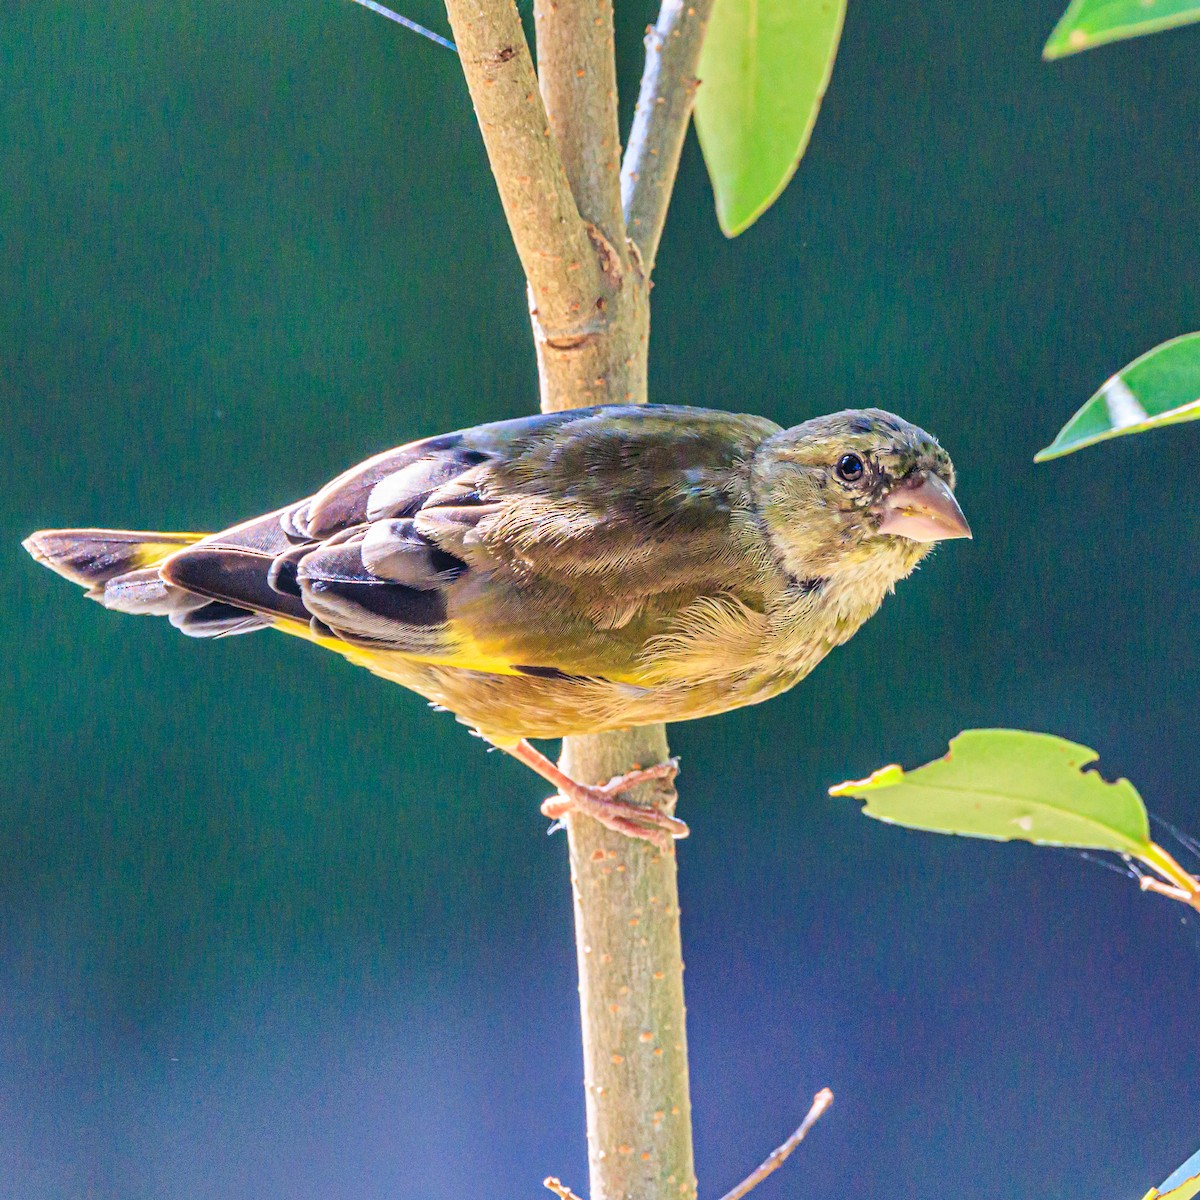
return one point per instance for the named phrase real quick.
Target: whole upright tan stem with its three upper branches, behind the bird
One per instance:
(587, 230)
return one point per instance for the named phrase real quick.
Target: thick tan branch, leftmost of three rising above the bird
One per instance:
(561, 261)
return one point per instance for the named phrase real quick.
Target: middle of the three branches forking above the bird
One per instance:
(578, 73)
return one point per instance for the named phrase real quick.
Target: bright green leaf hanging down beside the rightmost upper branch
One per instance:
(765, 67)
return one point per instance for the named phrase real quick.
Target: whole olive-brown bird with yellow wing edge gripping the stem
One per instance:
(567, 573)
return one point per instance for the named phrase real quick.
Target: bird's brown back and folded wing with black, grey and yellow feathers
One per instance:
(554, 543)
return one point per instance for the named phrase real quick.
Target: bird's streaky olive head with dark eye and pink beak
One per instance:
(860, 493)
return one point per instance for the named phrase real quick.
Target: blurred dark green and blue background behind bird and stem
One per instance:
(269, 928)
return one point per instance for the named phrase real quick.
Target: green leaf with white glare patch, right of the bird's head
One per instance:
(1161, 388)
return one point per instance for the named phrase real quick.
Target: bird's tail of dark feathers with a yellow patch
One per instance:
(121, 568)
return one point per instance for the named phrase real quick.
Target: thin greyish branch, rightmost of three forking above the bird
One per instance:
(661, 121)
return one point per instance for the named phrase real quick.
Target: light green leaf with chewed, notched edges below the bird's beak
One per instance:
(1006, 785)
